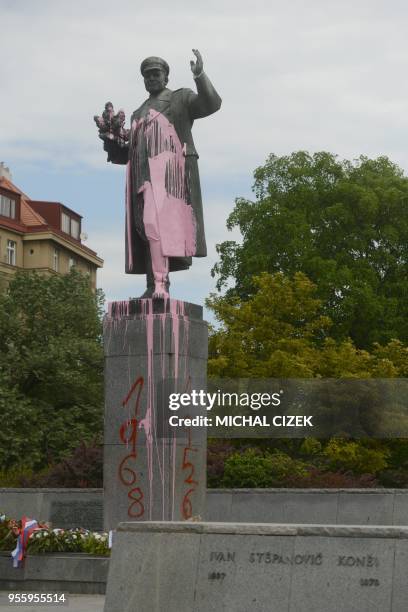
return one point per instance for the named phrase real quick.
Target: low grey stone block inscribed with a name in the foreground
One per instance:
(227, 567)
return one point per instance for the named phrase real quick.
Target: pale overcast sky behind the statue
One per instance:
(315, 75)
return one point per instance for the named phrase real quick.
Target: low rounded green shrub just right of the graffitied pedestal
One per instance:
(255, 469)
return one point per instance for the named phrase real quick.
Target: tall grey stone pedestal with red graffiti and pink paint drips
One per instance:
(152, 471)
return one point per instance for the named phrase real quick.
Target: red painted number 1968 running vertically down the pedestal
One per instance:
(128, 435)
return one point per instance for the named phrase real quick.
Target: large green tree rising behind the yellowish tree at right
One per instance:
(343, 224)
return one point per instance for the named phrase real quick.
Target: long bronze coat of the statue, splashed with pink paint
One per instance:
(162, 126)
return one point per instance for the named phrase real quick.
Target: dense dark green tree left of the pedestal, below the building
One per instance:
(51, 368)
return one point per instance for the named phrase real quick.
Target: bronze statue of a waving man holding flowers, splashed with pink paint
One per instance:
(164, 213)
